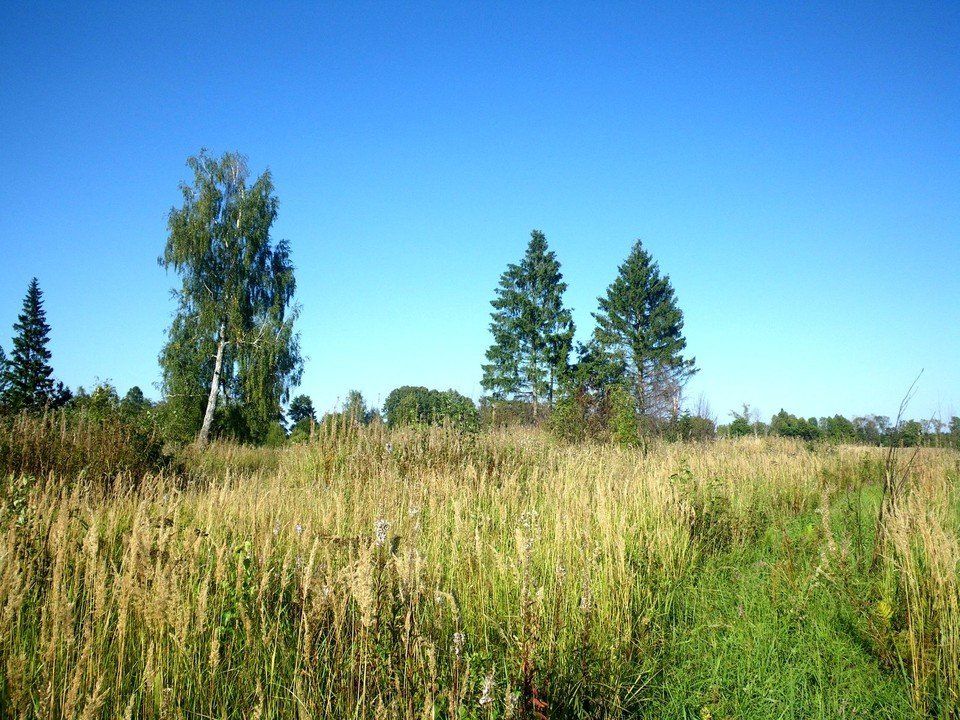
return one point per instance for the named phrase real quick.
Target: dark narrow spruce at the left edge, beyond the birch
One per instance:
(29, 377)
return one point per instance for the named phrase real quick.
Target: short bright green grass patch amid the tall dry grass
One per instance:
(760, 634)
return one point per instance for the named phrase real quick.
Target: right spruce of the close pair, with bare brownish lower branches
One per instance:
(640, 326)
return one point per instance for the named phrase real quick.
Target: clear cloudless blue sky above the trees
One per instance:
(794, 168)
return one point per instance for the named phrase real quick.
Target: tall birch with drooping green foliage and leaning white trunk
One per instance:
(232, 336)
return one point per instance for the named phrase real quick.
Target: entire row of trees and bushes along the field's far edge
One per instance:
(232, 354)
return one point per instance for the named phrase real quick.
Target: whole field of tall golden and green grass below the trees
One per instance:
(427, 574)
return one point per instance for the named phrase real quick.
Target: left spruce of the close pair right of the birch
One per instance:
(532, 331)
